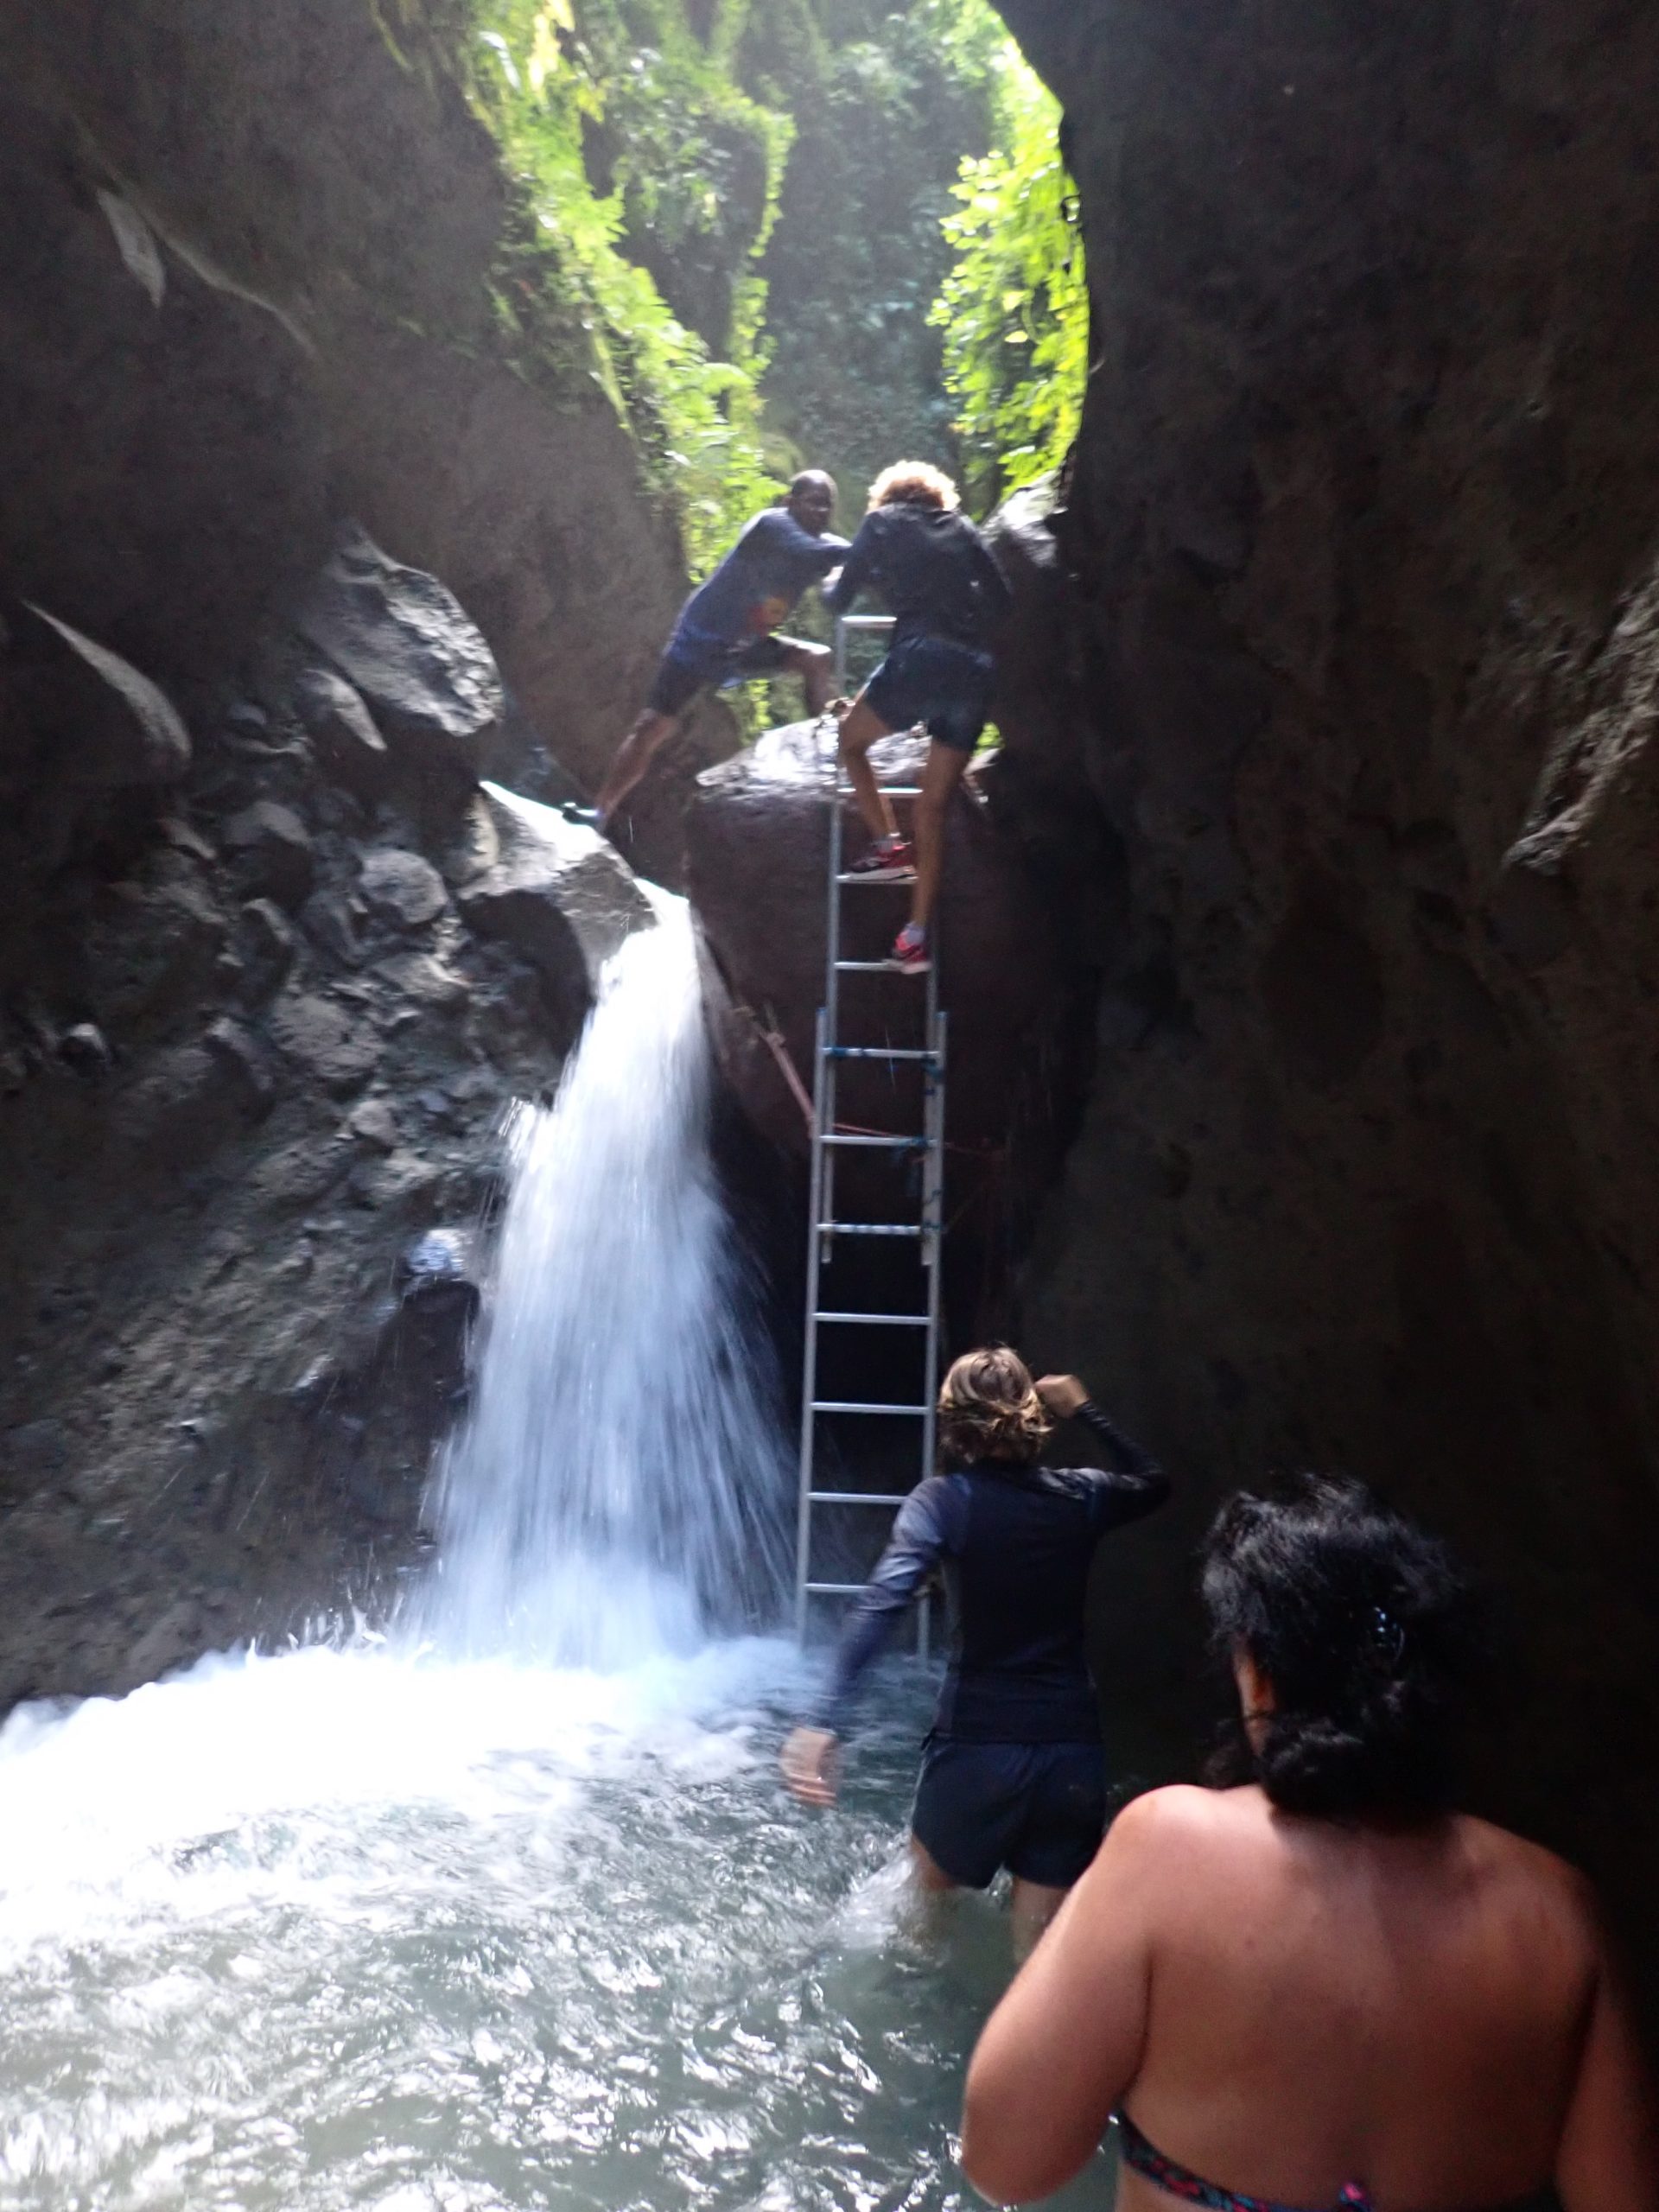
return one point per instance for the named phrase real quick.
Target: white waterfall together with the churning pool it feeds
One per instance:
(508, 1912)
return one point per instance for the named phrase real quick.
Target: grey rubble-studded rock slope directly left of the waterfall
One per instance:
(253, 1063)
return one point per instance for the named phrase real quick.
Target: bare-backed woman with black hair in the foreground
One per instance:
(1326, 1985)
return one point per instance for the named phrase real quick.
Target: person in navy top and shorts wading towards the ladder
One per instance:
(1014, 1771)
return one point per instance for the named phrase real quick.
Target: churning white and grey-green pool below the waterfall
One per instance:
(357, 1930)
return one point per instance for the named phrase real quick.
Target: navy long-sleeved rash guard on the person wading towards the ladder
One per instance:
(1014, 1547)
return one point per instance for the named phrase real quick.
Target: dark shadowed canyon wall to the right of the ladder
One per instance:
(1359, 581)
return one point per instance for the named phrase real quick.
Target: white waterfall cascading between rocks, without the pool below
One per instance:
(620, 1483)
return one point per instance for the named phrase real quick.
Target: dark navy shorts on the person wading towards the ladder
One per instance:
(1032, 1808)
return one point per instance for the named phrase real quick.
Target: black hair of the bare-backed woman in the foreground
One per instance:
(1366, 1629)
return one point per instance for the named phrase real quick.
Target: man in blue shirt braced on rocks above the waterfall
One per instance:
(729, 629)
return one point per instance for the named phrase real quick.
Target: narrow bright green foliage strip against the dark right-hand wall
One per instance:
(1014, 306)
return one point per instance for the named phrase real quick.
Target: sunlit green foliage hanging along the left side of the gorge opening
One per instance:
(620, 129)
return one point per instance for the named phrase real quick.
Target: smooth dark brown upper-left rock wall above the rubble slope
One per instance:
(251, 293)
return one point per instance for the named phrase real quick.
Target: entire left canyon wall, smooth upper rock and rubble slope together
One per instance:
(269, 963)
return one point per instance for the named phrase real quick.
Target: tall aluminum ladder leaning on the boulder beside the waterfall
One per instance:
(824, 1227)
